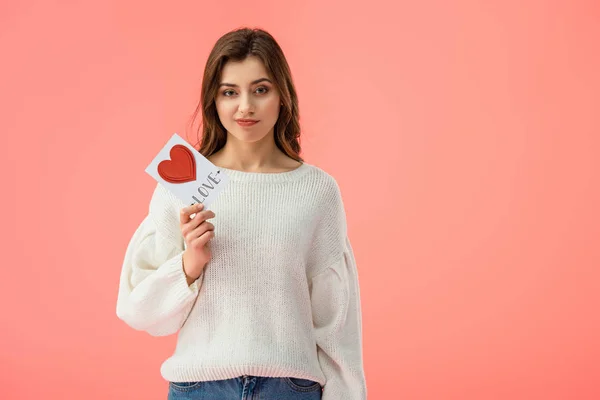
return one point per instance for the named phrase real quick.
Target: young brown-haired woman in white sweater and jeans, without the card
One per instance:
(264, 296)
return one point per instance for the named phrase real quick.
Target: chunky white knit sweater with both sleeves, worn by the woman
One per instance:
(279, 298)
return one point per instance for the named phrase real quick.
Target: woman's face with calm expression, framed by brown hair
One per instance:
(246, 92)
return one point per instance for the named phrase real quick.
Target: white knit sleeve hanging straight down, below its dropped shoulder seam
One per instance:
(337, 322)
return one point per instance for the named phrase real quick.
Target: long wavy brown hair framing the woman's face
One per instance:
(236, 46)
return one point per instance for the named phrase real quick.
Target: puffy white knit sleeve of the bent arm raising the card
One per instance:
(153, 292)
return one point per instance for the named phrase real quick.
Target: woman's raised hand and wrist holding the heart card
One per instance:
(196, 231)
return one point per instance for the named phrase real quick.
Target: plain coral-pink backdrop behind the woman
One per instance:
(464, 136)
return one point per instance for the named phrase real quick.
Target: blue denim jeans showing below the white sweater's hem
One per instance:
(247, 387)
